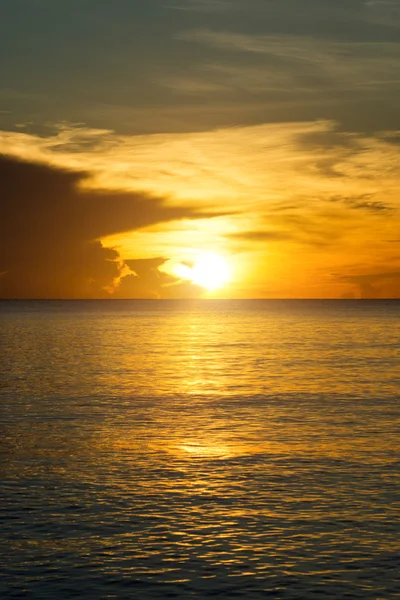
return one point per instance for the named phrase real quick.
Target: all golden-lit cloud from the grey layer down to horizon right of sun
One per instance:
(274, 194)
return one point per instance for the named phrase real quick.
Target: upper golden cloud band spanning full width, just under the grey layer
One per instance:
(223, 170)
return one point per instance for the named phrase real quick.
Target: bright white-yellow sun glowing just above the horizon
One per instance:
(209, 270)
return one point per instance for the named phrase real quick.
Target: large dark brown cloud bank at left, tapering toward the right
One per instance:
(50, 231)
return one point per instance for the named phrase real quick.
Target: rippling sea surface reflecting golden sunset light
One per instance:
(199, 449)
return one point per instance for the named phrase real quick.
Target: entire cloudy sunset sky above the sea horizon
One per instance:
(138, 138)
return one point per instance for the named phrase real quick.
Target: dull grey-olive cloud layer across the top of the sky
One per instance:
(248, 61)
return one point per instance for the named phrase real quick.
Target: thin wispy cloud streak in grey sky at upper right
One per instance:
(310, 63)
